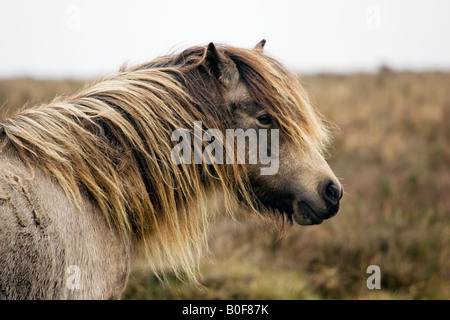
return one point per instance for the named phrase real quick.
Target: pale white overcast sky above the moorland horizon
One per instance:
(87, 39)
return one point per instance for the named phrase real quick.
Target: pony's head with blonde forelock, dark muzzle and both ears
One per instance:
(261, 94)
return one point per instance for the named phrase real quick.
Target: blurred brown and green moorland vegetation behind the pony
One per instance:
(392, 154)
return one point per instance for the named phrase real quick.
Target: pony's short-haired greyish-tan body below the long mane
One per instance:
(49, 248)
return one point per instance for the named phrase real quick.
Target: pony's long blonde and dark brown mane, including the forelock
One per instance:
(112, 140)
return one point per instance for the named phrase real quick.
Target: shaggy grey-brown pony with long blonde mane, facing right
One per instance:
(88, 184)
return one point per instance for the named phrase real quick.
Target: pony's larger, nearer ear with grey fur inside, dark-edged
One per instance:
(221, 66)
